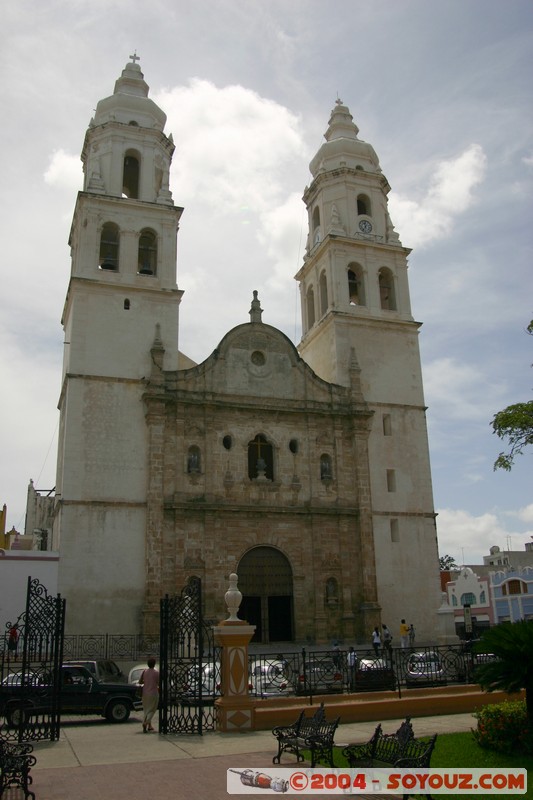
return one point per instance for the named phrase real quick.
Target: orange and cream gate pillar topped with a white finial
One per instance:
(233, 635)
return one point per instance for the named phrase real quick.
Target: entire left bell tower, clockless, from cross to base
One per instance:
(122, 299)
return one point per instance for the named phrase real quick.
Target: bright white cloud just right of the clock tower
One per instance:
(450, 193)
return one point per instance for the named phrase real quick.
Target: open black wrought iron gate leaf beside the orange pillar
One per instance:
(189, 664)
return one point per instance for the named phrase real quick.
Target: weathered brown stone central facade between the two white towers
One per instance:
(323, 527)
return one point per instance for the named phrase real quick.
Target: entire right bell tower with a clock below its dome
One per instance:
(356, 314)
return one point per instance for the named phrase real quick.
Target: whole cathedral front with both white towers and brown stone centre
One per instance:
(306, 471)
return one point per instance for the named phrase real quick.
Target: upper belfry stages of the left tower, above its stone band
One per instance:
(123, 239)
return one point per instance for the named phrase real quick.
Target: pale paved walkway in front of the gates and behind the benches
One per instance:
(94, 760)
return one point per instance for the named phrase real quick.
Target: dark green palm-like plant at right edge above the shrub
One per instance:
(512, 643)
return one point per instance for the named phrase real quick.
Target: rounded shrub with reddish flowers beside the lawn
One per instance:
(504, 727)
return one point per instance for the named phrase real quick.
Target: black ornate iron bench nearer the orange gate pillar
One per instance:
(307, 733)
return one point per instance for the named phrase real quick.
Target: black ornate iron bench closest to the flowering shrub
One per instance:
(399, 749)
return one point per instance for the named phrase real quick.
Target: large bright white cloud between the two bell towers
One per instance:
(233, 147)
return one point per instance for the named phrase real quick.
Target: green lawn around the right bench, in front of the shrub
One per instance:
(461, 750)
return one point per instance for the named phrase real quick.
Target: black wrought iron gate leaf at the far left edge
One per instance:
(31, 658)
